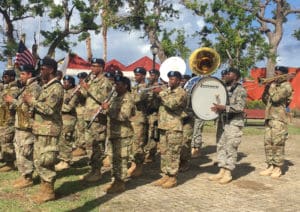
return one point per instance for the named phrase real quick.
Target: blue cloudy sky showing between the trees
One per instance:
(129, 47)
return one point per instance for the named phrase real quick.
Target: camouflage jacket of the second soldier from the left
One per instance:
(24, 115)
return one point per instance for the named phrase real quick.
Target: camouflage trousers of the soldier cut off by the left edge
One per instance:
(7, 149)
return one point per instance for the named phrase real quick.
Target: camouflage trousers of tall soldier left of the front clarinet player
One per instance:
(95, 144)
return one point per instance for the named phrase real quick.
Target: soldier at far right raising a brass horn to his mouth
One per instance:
(277, 96)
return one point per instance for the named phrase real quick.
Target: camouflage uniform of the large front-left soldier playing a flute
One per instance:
(47, 127)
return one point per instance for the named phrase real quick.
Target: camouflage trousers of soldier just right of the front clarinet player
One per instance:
(139, 141)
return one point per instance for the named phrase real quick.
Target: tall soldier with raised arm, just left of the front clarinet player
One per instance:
(96, 91)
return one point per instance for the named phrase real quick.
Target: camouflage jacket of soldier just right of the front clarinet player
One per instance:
(140, 101)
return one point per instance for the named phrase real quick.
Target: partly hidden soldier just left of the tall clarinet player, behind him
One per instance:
(80, 123)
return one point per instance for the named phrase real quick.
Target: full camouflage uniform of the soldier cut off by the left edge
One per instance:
(7, 121)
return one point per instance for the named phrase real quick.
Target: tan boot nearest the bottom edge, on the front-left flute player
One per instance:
(45, 194)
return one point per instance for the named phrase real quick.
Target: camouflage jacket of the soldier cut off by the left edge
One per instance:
(7, 113)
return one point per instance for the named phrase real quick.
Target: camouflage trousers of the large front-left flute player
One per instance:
(45, 156)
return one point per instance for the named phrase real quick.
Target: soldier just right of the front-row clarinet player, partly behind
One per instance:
(139, 123)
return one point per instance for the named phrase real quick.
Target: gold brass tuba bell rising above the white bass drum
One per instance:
(204, 61)
